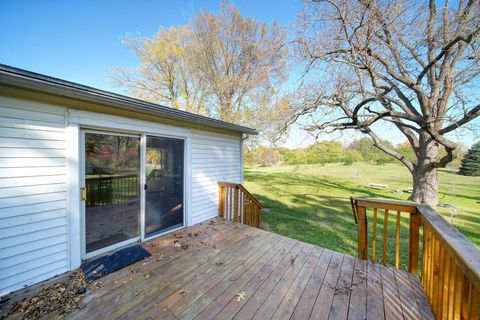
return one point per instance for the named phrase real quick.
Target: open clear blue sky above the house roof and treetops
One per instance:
(80, 41)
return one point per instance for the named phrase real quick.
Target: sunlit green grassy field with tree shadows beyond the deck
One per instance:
(310, 202)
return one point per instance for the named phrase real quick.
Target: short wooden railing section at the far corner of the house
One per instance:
(237, 204)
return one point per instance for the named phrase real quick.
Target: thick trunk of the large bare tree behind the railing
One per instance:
(425, 178)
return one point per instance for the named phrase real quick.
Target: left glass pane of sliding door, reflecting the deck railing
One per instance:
(112, 208)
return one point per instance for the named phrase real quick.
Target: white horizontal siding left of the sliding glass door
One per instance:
(33, 199)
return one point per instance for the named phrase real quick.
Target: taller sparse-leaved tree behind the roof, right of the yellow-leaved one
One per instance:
(239, 58)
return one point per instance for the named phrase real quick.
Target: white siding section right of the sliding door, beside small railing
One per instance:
(215, 157)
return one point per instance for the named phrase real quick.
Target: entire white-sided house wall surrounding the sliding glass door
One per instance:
(39, 234)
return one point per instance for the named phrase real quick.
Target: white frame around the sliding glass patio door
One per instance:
(78, 120)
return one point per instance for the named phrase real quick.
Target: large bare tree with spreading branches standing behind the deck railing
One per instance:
(411, 64)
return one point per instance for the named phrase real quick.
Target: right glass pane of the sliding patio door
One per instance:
(164, 185)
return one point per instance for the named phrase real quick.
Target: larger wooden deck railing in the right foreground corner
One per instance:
(450, 263)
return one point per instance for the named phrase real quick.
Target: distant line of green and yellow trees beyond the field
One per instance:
(322, 152)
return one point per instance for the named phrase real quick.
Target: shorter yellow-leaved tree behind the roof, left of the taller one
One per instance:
(166, 74)
